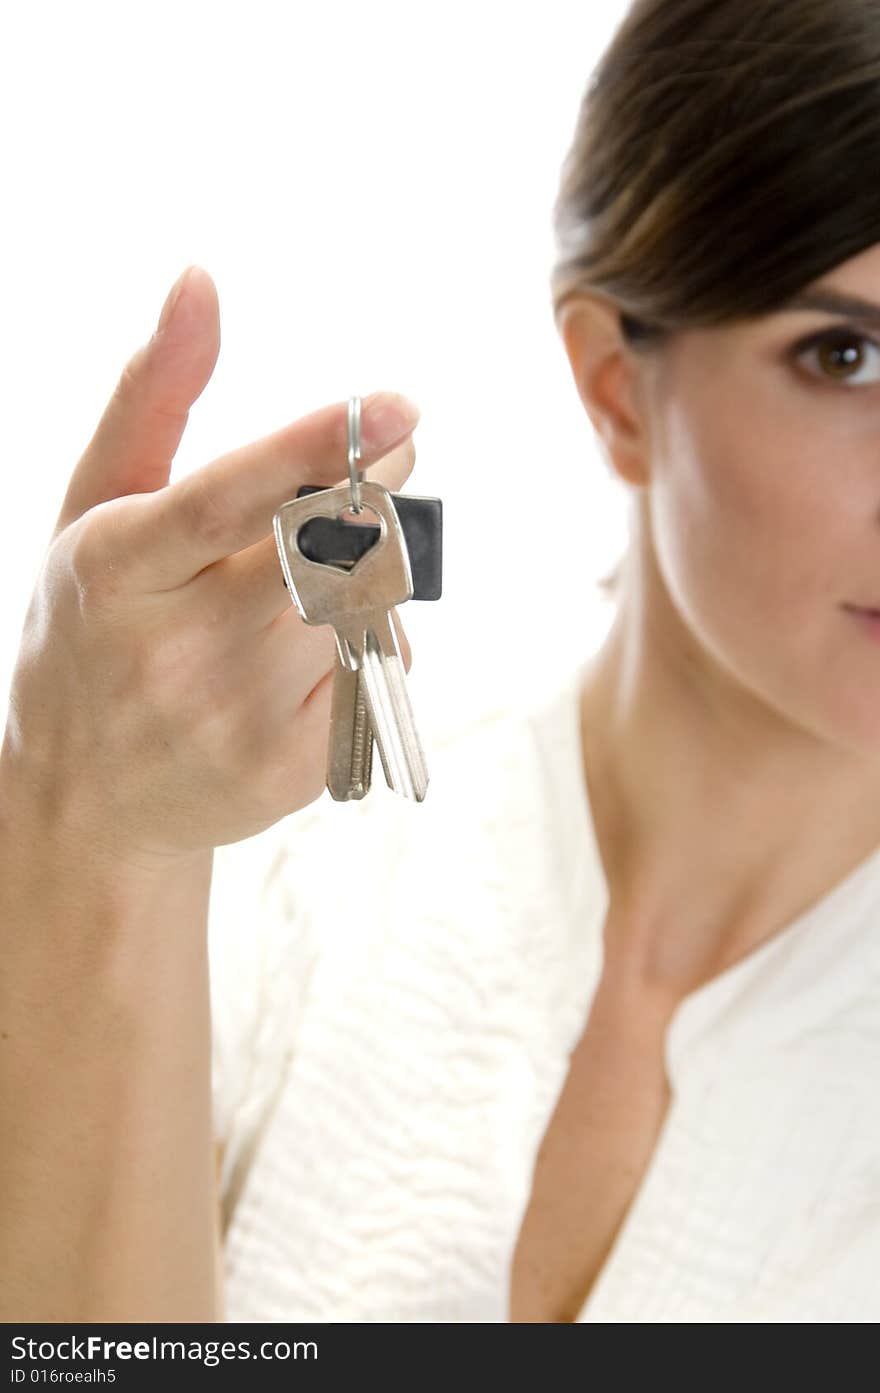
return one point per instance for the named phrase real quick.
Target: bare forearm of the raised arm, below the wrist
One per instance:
(108, 1194)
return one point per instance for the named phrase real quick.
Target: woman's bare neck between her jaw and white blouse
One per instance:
(718, 823)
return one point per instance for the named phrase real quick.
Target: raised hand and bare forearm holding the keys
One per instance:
(168, 700)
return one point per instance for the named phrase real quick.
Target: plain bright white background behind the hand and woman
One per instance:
(371, 187)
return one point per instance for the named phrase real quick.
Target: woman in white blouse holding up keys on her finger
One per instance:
(591, 1034)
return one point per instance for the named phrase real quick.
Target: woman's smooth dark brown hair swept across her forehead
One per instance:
(726, 155)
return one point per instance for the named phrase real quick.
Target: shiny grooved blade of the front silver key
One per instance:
(395, 729)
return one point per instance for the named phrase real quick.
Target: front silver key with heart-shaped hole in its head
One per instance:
(360, 604)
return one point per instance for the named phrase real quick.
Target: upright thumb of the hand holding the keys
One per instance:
(139, 435)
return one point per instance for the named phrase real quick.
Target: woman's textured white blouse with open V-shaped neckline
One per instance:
(396, 991)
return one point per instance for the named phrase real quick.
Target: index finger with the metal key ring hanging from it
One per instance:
(229, 505)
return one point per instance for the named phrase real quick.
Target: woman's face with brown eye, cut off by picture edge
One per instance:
(765, 504)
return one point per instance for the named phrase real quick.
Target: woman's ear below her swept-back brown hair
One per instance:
(609, 380)
